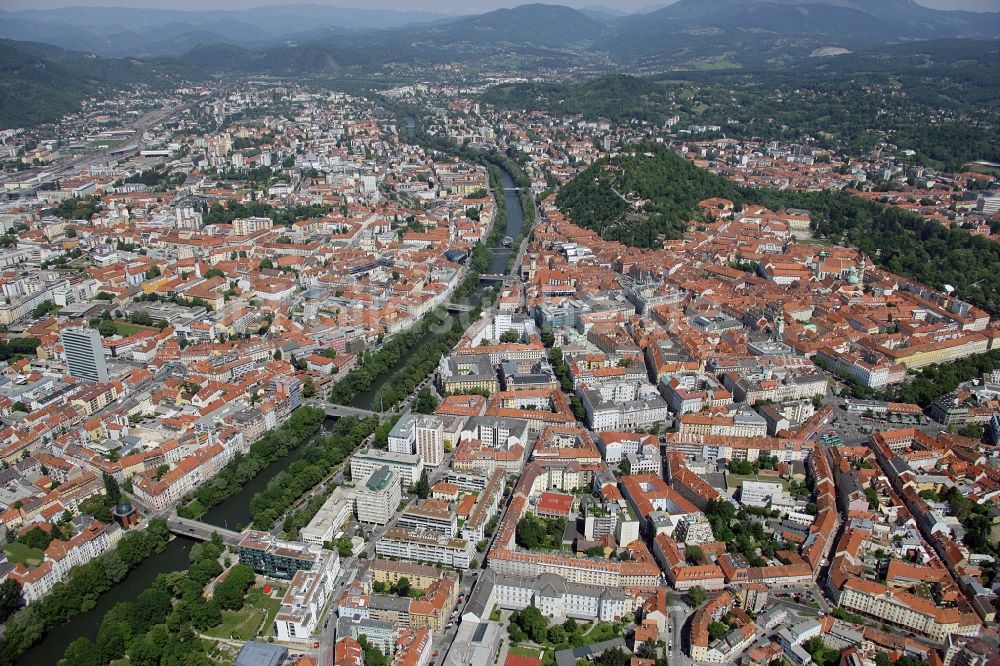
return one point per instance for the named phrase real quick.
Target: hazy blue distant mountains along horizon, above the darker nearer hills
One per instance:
(744, 32)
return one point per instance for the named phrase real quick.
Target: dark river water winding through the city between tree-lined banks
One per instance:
(234, 512)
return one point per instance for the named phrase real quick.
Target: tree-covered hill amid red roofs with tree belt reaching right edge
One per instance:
(605, 196)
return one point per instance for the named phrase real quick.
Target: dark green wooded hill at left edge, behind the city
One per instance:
(40, 83)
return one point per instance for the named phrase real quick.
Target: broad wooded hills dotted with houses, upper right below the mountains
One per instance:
(851, 103)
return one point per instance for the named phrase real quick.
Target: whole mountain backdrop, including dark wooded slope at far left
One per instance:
(315, 40)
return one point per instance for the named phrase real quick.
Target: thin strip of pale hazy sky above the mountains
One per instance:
(443, 6)
